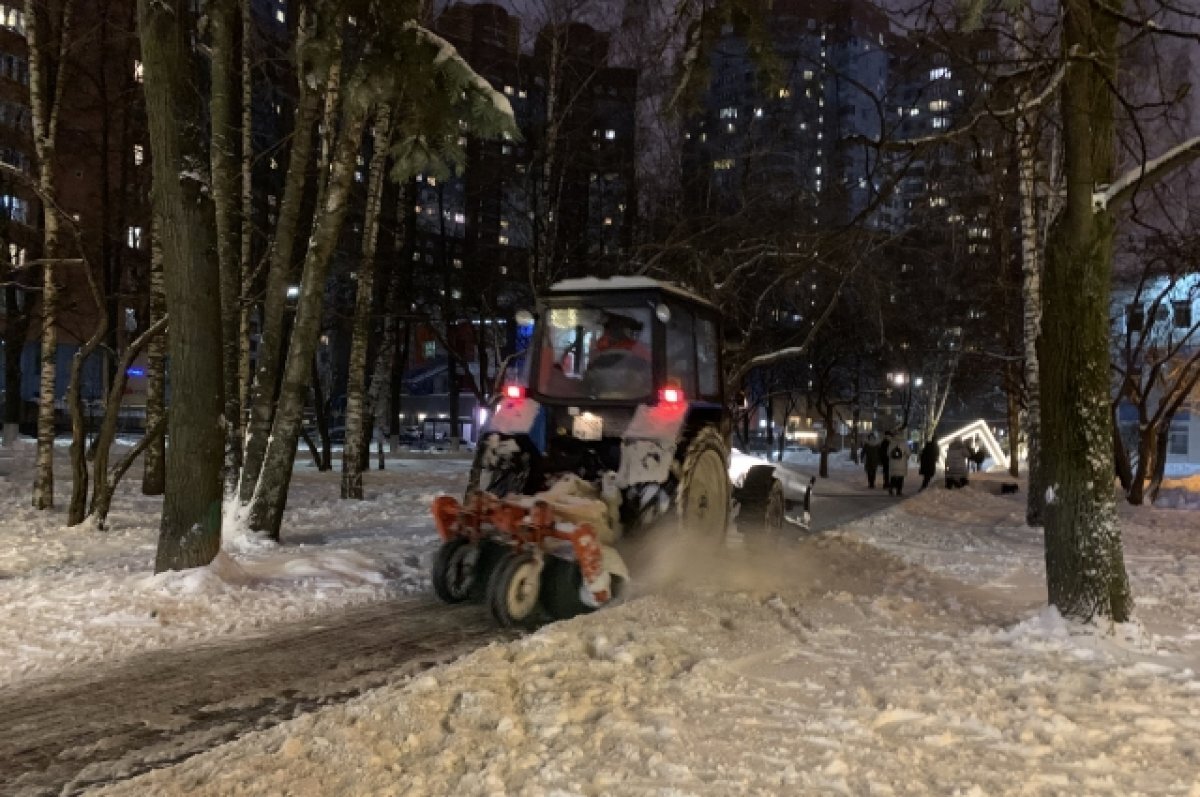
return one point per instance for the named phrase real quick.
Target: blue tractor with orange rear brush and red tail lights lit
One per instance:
(621, 427)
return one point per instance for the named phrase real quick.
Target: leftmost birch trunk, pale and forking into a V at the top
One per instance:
(45, 100)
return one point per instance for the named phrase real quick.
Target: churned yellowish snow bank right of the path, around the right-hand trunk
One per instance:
(909, 655)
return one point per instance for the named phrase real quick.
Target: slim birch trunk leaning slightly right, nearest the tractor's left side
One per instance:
(364, 301)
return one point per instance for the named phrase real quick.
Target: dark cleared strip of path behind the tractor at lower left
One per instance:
(67, 734)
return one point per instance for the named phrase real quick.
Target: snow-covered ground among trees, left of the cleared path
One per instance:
(76, 597)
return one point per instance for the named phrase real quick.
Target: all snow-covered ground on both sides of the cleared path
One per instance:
(908, 654)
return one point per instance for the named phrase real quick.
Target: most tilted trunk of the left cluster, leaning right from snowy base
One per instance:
(271, 494)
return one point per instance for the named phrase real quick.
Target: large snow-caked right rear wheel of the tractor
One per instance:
(704, 498)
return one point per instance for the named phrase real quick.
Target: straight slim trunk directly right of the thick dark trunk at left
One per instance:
(224, 21)
